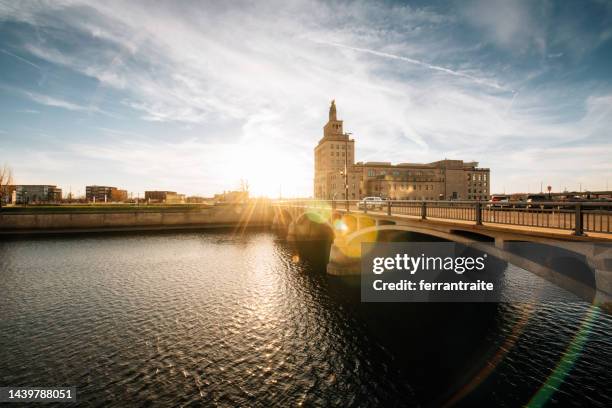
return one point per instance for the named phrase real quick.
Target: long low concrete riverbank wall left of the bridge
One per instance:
(252, 214)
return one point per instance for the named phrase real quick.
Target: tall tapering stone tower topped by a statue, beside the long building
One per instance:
(334, 155)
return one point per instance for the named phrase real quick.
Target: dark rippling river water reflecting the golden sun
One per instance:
(224, 319)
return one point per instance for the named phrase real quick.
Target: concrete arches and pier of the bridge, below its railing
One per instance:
(590, 255)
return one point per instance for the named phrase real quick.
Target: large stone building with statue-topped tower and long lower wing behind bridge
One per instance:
(440, 180)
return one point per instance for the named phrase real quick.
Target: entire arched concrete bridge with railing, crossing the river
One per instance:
(579, 234)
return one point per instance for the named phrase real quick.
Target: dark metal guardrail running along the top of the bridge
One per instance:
(580, 217)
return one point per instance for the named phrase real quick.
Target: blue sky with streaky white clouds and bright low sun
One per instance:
(196, 96)
